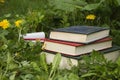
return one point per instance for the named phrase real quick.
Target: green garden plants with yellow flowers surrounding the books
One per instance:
(22, 60)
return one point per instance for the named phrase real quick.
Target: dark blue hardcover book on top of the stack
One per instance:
(80, 34)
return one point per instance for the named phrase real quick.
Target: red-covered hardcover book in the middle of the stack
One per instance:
(72, 48)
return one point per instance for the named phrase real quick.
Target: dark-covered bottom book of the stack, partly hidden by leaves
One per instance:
(110, 54)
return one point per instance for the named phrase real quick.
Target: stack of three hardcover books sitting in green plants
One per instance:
(76, 41)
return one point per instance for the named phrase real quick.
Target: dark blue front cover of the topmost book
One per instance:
(81, 29)
